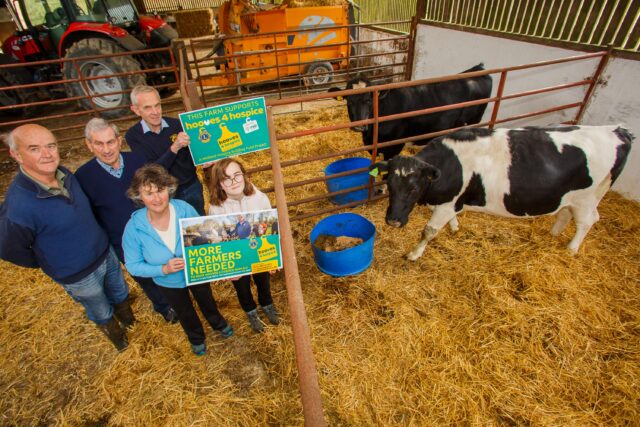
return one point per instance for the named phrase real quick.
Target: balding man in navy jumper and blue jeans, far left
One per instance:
(46, 222)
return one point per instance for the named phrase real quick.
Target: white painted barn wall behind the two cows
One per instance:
(442, 51)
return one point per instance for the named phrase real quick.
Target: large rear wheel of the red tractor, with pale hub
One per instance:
(106, 67)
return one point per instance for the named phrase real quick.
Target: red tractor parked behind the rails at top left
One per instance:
(50, 29)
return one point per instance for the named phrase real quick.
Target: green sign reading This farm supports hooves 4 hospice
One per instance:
(226, 130)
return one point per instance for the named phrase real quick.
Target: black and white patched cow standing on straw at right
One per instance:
(509, 172)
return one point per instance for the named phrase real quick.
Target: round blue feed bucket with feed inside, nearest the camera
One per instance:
(349, 261)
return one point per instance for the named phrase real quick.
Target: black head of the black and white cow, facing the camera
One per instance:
(408, 180)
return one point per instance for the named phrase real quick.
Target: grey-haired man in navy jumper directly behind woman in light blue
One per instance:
(105, 180)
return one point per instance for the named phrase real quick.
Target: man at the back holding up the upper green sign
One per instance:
(161, 140)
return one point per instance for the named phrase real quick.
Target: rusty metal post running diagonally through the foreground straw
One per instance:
(307, 374)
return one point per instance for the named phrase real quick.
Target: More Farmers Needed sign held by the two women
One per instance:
(226, 246)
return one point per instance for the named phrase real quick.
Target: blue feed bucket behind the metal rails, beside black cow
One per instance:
(345, 182)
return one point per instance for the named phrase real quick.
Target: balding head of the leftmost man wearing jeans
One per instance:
(36, 151)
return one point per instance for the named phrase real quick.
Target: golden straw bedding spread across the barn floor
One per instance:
(495, 325)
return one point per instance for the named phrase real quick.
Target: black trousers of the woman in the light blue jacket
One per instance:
(181, 302)
